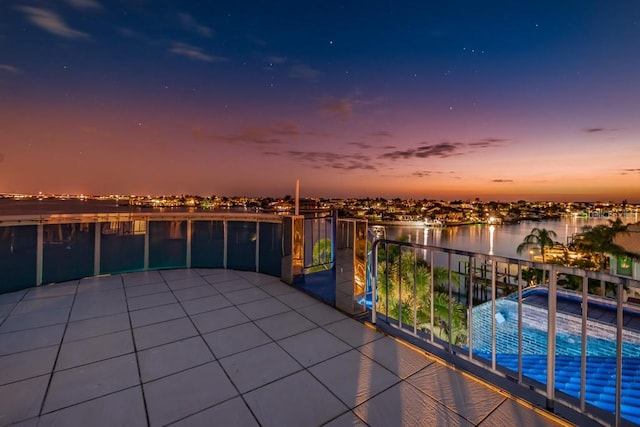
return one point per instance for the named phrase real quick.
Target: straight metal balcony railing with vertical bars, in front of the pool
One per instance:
(483, 309)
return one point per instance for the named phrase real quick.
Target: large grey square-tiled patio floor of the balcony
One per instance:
(219, 347)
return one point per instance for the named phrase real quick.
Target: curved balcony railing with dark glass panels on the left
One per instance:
(55, 248)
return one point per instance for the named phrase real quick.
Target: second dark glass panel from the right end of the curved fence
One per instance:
(241, 245)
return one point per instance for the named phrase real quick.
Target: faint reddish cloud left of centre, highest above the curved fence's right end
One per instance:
(275, 134)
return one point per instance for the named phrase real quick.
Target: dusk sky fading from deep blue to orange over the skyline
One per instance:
(500, 100)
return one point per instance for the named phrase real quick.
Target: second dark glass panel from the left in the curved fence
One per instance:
(68, 251)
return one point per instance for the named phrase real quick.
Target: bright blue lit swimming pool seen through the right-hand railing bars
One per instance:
(601, 353)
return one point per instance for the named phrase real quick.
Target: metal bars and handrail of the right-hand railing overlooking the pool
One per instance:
(553, 271)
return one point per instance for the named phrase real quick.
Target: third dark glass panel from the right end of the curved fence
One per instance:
(207, 244)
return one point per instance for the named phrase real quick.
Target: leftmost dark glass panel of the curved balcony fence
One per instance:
(18, 257)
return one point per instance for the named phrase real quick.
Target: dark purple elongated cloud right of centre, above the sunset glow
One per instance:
(443, 149)
